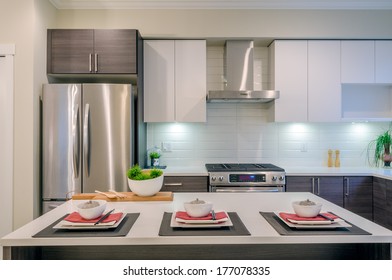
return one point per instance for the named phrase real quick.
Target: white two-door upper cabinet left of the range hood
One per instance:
(175, 80)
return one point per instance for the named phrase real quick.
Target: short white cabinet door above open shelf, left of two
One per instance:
(357, 62)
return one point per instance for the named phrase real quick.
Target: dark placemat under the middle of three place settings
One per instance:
(238, 228)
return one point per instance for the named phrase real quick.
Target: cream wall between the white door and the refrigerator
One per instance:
(19, 19)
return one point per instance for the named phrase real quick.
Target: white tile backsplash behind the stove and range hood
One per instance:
(241, 132)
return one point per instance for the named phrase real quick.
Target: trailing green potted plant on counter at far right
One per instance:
(382, 148)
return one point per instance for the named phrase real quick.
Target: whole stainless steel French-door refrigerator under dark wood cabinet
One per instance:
(88, 139)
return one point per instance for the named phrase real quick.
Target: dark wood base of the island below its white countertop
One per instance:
(309, 251)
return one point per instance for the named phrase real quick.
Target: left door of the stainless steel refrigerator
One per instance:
(61, 121)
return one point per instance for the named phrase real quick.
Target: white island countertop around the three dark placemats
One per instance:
(145, 230)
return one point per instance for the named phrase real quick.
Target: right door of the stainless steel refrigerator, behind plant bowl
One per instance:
(107, 149)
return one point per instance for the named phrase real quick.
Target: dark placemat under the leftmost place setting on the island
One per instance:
(121, 230)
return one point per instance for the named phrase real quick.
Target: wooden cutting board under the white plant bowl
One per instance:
(129, 196)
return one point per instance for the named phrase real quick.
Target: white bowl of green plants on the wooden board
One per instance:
(144, 182)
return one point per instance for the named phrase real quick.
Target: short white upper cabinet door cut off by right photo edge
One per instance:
(383, 61)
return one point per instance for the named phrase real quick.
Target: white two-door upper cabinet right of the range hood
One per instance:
(307, 74)
